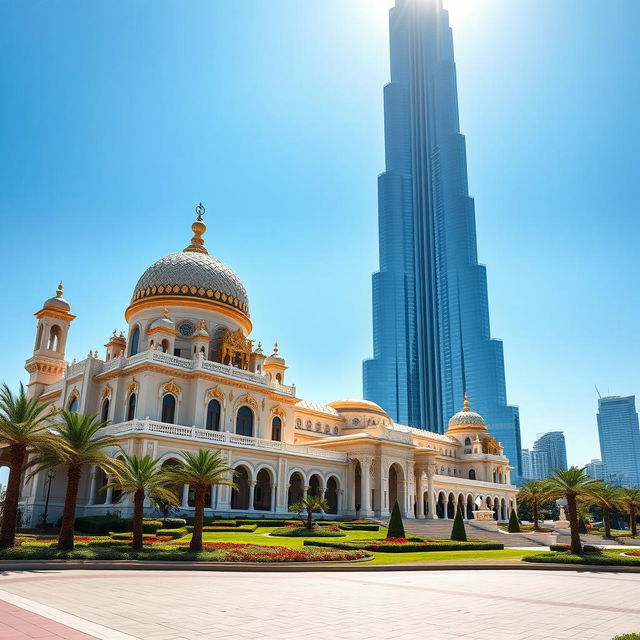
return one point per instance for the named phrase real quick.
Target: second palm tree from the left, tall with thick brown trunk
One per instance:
(81, 445)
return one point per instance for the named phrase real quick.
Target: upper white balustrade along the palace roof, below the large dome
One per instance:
(197, 364)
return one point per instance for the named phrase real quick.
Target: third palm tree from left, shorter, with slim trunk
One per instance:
(141, 476)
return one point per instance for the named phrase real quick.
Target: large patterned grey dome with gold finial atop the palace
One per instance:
(193, 273)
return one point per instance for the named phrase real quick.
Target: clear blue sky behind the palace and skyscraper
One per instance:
(118, 117)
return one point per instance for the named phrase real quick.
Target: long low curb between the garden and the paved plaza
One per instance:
(350, 566)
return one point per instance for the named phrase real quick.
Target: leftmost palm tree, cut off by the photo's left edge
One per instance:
(24, 427)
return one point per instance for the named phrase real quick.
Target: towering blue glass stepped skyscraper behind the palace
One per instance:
(431, 337)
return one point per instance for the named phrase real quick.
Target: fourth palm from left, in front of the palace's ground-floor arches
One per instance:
(199, 470)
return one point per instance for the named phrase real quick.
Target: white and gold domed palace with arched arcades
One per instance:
(187, 376)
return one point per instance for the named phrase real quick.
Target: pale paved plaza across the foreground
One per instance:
(436, 605)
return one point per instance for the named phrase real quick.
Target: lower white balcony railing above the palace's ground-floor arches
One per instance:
(223, 438)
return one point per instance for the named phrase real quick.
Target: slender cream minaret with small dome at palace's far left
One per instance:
(47, 365)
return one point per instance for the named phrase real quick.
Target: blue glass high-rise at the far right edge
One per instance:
(620, 439)
